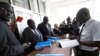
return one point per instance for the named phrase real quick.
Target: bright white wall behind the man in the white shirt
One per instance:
(59, 11)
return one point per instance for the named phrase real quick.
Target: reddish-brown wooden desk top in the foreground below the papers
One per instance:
(54, 50)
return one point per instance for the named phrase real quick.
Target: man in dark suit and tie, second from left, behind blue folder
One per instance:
(31, 35)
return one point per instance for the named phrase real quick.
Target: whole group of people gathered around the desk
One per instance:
(83, 28)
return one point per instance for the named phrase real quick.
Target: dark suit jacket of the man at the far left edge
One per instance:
(9, 45)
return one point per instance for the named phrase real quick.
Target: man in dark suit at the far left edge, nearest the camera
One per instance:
(9, 45)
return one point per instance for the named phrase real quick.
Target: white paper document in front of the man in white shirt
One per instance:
(68, 43)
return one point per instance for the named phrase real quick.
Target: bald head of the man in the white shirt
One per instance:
(83, 15)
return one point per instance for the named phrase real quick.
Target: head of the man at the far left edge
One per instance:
(6, 13)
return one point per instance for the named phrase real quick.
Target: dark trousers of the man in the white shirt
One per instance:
(88, 53)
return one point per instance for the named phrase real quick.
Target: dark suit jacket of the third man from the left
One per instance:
(43, 29)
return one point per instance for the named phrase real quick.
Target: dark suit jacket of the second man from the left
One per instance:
(29, 36)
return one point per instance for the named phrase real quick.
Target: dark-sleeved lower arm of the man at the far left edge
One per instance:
(6, 48)
